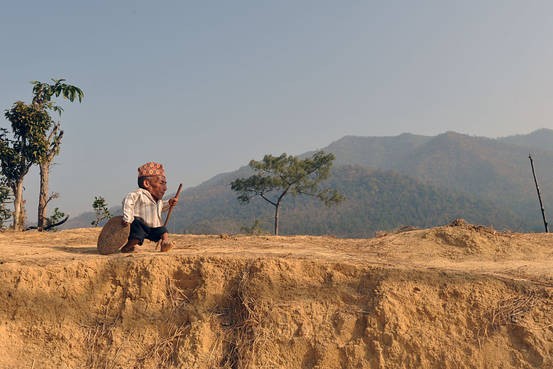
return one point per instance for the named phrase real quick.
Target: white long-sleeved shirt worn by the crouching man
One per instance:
(141, 204)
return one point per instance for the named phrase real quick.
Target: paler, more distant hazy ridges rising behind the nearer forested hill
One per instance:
(494, 169)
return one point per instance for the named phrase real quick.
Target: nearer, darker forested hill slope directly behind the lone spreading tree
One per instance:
(376, 200)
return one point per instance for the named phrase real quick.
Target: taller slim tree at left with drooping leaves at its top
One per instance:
(51, 139)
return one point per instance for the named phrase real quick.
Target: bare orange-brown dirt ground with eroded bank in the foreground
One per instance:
(457, 296)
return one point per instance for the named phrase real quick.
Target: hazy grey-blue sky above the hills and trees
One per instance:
(205, 86)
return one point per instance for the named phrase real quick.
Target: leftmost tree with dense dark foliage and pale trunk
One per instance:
(20, 150)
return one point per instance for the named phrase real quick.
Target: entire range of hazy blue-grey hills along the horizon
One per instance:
(390, 182)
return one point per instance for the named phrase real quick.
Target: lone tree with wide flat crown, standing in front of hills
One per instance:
(275, 177)
